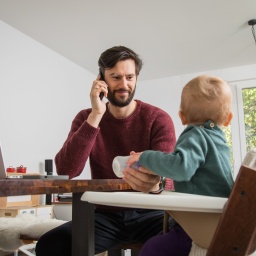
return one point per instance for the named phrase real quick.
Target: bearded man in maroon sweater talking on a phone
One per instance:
(103, 132)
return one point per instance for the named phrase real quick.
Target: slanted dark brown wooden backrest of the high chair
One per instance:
(236, 230)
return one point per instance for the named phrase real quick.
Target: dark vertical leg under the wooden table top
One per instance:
(82, 227)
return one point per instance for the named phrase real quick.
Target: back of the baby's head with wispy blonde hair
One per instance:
(206, 98)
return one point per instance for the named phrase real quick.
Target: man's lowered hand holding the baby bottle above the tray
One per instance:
(142, 180)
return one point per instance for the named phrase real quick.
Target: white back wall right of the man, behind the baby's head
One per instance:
(165, 93)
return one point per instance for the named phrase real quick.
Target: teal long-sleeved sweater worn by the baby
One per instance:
(200, 163)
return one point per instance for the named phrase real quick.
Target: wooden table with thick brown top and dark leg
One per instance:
(82, 212)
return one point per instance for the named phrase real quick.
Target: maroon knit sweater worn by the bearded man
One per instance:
(148, 127)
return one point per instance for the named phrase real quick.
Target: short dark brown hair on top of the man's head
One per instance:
(111, 56)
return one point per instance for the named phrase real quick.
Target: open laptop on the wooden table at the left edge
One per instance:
(4, 175)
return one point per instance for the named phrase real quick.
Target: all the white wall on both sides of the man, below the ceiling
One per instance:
(41, 92)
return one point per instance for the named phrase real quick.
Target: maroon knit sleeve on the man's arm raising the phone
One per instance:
(72, 157)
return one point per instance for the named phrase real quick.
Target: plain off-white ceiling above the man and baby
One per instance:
(173, 37)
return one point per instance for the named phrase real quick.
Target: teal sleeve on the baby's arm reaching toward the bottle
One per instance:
(181, 164)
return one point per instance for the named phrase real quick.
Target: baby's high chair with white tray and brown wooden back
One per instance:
(223, 226)
